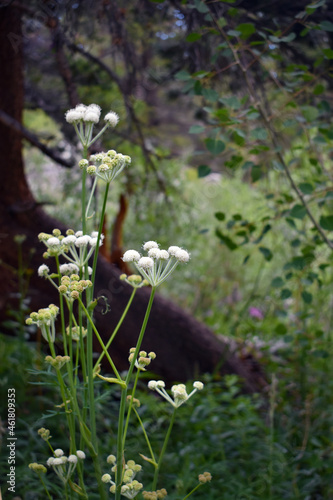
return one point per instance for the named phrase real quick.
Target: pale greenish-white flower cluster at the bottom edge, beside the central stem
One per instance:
(131, 486)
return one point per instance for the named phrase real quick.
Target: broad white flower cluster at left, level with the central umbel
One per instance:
(75, 247)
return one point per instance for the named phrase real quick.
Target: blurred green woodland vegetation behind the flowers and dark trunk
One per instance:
(226, 110)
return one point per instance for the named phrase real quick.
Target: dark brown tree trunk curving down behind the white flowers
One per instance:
(184, 347)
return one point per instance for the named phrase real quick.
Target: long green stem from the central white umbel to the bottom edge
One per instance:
(120, 441)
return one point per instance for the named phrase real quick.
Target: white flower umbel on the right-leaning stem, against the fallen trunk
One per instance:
(157, 266)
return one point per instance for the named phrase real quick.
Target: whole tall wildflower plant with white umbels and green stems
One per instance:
(75, 254)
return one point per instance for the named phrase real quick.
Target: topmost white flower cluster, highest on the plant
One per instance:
(83, 118)
